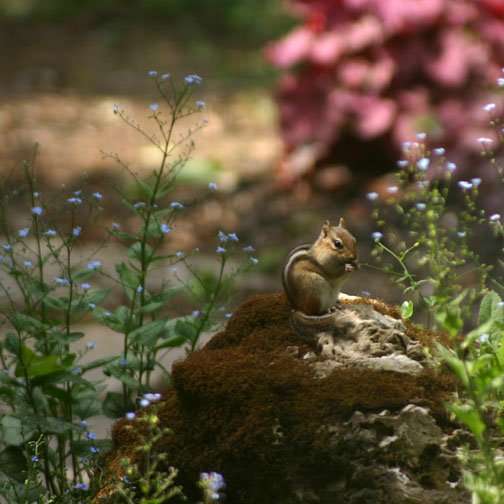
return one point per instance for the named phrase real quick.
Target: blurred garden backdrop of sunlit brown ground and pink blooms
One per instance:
(308, 104)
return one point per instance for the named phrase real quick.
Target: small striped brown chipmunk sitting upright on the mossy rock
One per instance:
(313, 274)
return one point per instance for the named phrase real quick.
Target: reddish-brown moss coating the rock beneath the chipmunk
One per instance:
(250, 407)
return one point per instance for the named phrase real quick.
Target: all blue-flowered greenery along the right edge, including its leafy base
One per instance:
(431, 263)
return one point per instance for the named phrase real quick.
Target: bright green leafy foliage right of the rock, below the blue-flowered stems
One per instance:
(479, 366)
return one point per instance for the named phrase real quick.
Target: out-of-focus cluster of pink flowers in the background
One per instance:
(387, 69)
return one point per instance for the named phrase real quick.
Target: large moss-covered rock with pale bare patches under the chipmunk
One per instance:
(353, 415)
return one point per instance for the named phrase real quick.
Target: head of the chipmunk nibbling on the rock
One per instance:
(339, 246)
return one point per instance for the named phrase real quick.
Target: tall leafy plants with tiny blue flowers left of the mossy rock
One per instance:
(48, 287)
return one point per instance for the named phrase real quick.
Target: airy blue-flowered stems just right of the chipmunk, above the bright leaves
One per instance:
(434, 258)
